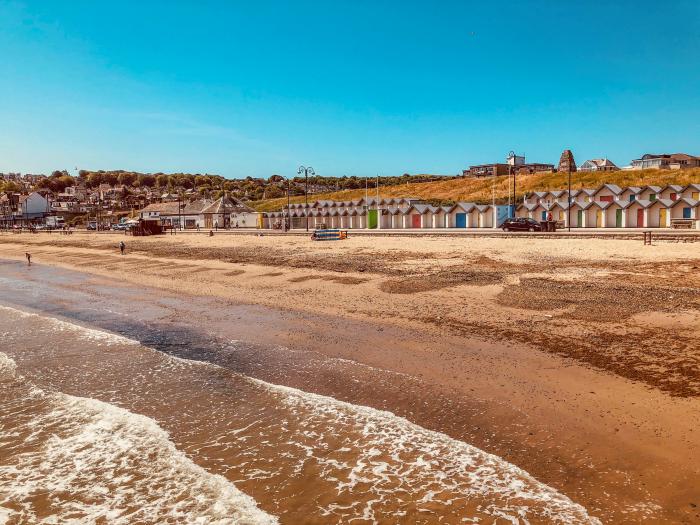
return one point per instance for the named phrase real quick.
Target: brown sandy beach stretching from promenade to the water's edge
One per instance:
(575, 359)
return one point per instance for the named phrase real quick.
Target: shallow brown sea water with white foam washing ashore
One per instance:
(96, 427)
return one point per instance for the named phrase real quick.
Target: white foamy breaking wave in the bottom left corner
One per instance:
(71, 459)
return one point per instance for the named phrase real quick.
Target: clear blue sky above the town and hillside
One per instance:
(357, 87)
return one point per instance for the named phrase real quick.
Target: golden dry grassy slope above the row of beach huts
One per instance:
(481, 190)
